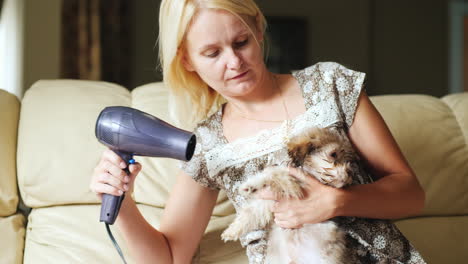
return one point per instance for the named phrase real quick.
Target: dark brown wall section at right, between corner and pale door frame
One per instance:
(410, 47)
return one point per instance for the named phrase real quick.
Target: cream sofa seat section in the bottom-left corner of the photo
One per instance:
(12, 229)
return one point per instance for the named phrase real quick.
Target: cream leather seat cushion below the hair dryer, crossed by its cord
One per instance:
(70, 234)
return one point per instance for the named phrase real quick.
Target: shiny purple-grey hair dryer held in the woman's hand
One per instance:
(128, 132)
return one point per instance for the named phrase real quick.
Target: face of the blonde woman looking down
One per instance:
(224, 53)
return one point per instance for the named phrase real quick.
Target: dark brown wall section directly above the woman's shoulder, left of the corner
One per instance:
(338, 30)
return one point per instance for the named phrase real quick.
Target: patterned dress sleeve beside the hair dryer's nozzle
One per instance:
(196, 167)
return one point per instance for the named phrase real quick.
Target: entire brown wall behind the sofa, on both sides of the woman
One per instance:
(401, 45)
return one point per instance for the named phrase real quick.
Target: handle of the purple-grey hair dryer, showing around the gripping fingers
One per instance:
(110, 206)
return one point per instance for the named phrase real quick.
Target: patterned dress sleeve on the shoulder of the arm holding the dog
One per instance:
(348, 87)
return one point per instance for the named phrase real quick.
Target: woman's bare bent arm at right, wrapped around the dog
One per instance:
(396, 193)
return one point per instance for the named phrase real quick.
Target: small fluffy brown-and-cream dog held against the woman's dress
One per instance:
(321, 153)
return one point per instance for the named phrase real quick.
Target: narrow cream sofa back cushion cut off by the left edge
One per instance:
(9, 114)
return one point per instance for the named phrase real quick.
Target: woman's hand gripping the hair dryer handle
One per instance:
(109, 175)
